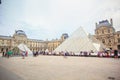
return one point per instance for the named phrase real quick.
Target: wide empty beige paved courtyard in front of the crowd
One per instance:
(59, 68)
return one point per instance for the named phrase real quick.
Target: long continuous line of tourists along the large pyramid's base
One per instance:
(112, 53)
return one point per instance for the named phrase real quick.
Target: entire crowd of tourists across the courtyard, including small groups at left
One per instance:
(110, 53)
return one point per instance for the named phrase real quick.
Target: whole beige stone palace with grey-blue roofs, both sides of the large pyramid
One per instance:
(104, 32)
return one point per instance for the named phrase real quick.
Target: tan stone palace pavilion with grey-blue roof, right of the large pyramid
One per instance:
(105, 32)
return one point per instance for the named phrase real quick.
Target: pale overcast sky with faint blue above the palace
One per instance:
(48, 19)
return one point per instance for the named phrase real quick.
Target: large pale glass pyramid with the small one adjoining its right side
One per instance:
(80, 41)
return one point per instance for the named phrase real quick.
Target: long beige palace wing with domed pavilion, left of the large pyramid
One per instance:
(10, 42)
